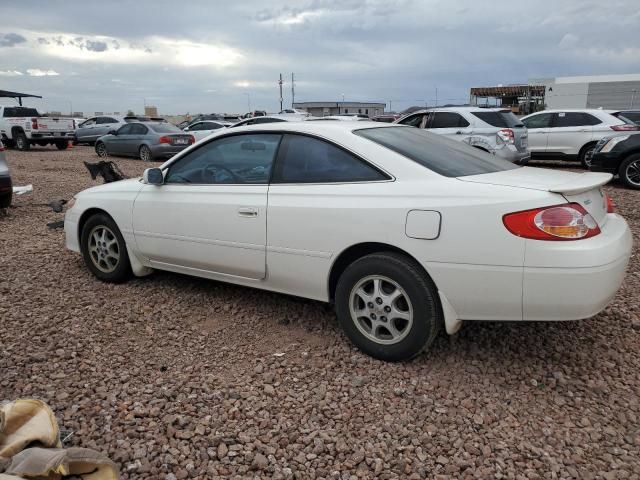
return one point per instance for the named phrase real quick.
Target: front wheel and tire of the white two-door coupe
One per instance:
(104, 249)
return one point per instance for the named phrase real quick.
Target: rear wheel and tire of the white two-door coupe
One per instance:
(417, 301)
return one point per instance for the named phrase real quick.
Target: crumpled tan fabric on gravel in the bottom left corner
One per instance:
(29, 447)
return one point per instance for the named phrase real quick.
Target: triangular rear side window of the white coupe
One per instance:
(304, 159)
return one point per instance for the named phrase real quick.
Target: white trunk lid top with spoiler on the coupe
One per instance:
(544, 179)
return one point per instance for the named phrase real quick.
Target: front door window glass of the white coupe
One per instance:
(236, 159)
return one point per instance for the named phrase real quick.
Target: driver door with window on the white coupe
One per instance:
(210, 214)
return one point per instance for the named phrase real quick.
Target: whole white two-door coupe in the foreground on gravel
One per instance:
(404, 230)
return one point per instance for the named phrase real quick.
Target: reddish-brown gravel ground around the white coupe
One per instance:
(176, 377)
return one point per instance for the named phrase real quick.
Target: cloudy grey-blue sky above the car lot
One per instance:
(216, 56)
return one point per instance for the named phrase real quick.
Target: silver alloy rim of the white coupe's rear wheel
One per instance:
(381, 309)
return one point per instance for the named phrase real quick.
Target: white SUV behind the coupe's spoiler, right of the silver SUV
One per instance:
(571, 134)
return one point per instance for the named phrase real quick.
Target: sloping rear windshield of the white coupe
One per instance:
(450, 158)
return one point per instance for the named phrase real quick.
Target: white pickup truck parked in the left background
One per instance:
(21, 127)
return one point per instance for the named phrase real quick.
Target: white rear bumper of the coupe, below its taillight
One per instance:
(576, 279)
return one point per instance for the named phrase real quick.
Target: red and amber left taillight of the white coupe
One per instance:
(561, 222)
